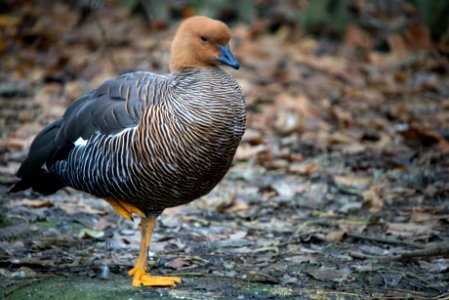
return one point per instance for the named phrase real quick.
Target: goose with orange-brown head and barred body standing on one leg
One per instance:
(145, 142)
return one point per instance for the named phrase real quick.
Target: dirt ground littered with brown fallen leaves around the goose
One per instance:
(339, 189)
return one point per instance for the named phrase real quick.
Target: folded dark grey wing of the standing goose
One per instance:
(115, 105)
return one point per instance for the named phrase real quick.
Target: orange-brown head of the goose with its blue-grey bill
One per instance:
(201, 42)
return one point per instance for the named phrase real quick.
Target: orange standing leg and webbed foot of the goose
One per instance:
(141, 277)
